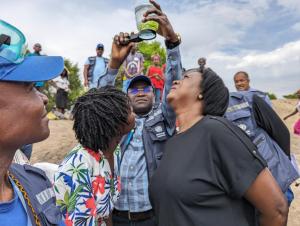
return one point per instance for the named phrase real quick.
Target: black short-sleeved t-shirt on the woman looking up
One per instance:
(203, 176)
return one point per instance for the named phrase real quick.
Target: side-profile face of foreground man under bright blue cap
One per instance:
(23, 115)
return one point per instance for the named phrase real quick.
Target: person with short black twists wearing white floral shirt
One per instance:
(86, 184)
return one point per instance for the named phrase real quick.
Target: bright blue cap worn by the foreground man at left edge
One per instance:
(32, 69)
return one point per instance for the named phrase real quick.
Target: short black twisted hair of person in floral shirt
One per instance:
(98, 116)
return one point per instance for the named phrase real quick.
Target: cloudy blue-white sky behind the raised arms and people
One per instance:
(261, 37)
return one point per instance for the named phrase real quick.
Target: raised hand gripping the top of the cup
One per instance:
(165, 28)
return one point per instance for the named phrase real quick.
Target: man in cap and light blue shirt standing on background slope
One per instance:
(95, 68)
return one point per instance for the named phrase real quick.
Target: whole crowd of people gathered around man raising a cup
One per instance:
(228, 163)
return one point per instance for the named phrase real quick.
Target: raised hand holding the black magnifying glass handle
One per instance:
(120, 50)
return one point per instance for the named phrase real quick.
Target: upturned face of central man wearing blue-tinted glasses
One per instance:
(141, 96)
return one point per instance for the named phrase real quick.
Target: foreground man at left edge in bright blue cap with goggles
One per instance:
(25, 191)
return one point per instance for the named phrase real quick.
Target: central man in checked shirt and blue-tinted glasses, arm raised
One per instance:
(142, 148)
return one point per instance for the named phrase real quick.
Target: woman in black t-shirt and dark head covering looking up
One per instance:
(211, 173)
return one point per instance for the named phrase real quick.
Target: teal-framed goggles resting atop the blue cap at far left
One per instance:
(12, 43)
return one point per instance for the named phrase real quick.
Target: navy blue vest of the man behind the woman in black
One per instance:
(240, 112)
